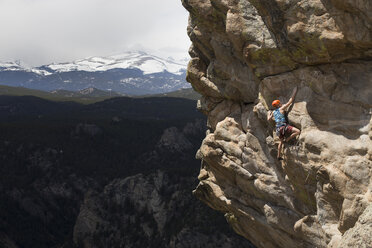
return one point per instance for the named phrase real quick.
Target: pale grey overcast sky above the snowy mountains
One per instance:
(45, 31)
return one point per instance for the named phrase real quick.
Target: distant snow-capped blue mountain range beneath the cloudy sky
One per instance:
(132, 73)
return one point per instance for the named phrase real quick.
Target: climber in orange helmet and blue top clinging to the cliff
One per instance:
(283, 129)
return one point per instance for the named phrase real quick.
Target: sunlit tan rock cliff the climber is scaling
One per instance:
(245, 54)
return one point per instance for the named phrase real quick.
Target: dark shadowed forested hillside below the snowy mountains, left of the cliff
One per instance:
(116, 173)
